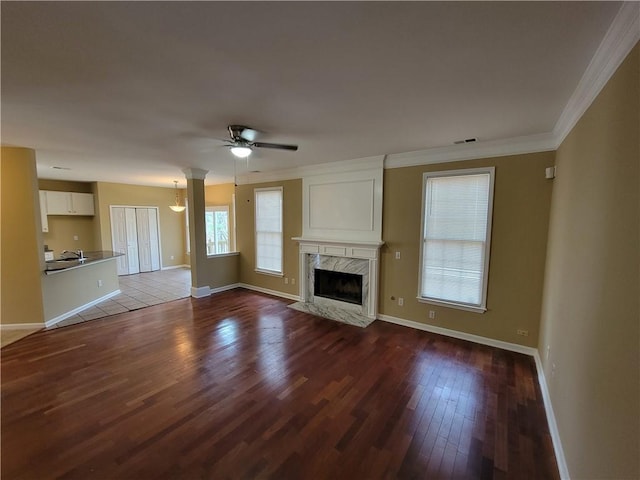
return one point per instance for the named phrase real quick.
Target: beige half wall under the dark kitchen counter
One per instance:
(65, 291)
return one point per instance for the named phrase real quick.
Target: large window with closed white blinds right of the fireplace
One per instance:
(456, 232)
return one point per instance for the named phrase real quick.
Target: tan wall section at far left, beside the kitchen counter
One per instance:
(21, 250)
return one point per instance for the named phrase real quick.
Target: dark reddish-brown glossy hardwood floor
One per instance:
(239, 386)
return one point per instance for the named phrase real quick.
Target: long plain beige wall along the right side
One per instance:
(590, 316)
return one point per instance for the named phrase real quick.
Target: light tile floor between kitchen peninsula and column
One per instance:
(138, 291)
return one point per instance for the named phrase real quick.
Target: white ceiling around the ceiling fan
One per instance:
(133, 92)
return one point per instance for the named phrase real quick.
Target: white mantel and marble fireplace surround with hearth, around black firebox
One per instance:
(361, 258)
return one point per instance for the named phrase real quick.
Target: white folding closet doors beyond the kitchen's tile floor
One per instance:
(135, 232)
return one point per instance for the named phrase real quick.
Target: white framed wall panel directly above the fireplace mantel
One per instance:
(345, 205)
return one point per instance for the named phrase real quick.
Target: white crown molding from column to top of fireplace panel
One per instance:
(343, 166)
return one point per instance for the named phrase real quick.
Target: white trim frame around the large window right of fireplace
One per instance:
(485, 279)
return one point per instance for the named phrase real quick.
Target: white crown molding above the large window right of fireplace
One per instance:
(468, 151)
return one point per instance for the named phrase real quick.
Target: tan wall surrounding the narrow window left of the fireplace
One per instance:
(292, 227)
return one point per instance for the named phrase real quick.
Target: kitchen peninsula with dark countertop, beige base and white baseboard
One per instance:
(72, 284)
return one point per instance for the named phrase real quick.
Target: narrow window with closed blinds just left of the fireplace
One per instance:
(268, 202)
